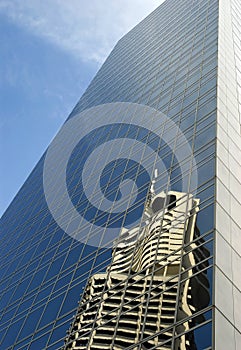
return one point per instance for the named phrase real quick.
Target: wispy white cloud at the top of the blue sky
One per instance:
(86, 28)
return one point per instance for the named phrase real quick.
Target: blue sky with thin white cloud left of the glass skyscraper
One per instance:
(50, 51)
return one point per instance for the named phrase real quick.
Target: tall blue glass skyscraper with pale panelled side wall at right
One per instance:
(127, 234)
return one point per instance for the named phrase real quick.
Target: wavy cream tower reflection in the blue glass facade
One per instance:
(152, 283)
